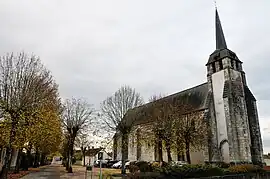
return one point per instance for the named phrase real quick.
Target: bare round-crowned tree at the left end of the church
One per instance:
(114, 108)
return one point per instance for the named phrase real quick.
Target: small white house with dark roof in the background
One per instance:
(93, 155)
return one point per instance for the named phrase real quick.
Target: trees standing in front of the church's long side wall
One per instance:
(172, 125)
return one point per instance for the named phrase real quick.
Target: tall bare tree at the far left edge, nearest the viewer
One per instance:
(25, 85)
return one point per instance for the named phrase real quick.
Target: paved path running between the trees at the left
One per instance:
(48, 172)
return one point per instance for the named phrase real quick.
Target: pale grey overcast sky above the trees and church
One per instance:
(93, 47)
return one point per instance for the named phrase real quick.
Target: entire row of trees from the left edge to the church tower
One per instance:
(33, 117)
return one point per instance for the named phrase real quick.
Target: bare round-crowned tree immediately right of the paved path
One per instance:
(77, 115)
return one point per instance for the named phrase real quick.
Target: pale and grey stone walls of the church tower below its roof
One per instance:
(229, 113)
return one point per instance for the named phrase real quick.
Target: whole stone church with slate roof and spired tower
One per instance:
(227, 104)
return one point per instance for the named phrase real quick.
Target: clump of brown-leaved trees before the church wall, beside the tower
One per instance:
(179, 127)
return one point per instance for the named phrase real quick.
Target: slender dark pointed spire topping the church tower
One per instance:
(220, 38)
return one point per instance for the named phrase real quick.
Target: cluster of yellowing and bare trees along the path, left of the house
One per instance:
(33, 117)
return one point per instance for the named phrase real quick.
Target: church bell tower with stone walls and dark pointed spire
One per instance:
(236, 131)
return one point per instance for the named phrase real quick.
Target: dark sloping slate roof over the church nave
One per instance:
(196, 98)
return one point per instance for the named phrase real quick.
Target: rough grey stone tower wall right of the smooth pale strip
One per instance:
(237, 118)
